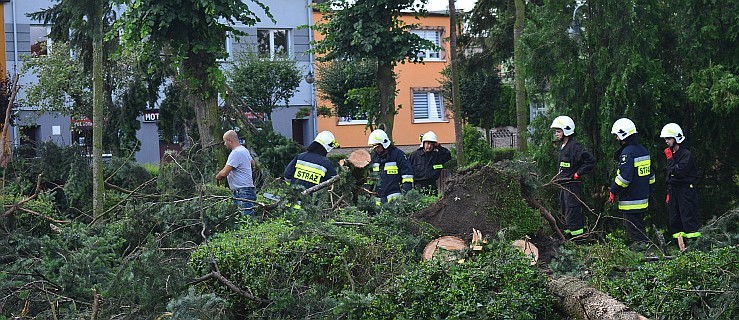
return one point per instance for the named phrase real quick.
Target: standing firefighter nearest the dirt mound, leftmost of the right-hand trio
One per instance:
(574, 162)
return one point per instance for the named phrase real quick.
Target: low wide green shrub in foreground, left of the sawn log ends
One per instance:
(275, 257)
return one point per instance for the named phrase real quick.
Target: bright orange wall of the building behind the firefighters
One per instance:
(409, 75)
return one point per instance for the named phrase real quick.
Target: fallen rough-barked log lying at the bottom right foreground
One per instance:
(580, 301)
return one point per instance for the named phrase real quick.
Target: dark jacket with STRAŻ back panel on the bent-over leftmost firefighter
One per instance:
(309, 169)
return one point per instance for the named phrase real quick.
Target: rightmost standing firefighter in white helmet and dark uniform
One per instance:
(682, 176)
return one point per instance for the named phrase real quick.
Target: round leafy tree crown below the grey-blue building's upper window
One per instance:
(260, 84)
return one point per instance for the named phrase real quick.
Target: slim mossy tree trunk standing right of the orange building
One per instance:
(522, 114)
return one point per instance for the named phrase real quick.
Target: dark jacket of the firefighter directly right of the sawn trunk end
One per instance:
(391, 173)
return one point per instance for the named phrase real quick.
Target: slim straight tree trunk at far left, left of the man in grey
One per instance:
(98, 182)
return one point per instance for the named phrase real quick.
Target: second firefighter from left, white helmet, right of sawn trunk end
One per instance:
(391, 172)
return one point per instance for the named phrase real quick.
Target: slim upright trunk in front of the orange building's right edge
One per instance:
(461, 161)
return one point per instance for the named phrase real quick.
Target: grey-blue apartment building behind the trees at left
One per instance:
(24, 36)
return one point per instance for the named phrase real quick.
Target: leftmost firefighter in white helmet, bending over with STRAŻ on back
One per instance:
(312, 167)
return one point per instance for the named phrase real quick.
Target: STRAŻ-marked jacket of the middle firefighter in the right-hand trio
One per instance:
(633, 178)
